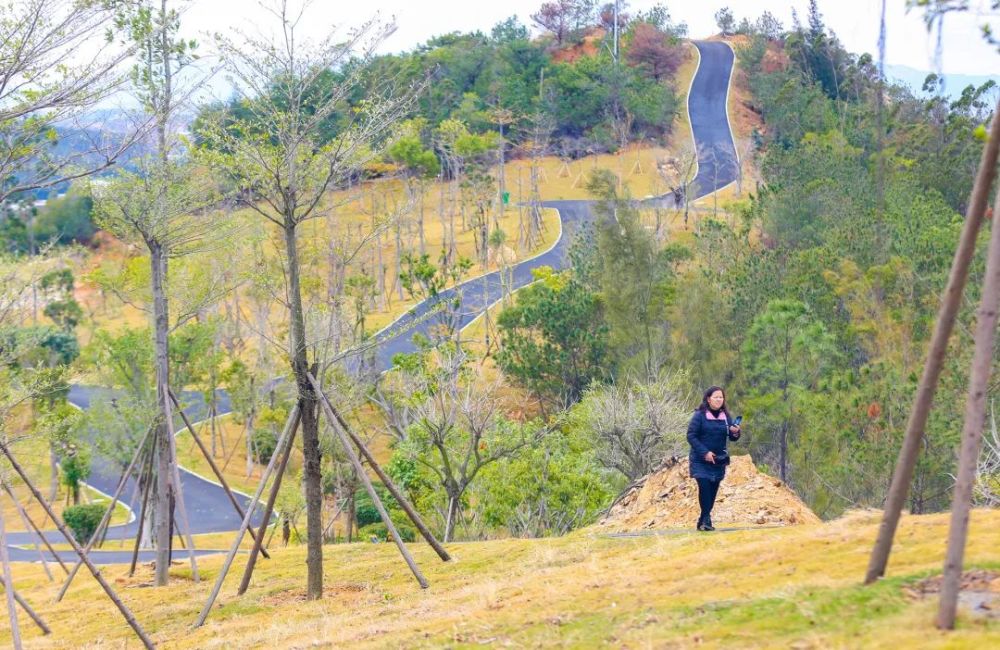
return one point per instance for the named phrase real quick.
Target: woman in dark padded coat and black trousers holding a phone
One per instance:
(709, 429)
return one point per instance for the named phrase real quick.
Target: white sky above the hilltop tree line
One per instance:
(854, 21)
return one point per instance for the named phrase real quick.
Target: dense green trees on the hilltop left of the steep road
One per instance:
(503, 81)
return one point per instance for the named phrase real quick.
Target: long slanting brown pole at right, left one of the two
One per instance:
(951, 301)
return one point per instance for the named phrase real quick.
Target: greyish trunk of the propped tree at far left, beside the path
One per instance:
(160, 496)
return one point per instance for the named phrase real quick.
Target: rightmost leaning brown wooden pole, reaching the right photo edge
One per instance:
(972, 430)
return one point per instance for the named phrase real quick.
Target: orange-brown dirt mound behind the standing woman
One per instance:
(668, 498)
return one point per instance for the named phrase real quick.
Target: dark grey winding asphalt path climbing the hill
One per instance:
(208, 507)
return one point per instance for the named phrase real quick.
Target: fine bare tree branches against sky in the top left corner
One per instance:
(45, 95)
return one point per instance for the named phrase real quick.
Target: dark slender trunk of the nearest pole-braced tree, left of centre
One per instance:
(311, 475)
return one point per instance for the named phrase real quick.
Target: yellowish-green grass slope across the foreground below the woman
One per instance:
(792, 587)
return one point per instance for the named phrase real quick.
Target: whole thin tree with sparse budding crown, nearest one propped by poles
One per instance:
(281, 156)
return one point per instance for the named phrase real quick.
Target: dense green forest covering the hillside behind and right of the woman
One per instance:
(829, 285)
